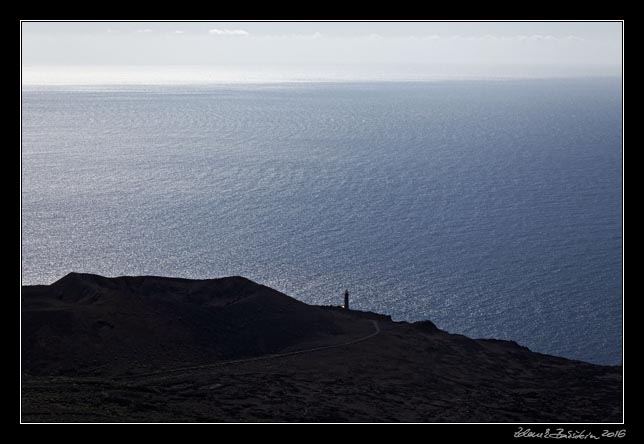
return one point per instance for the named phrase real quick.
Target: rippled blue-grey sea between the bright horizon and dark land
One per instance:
(493, 208)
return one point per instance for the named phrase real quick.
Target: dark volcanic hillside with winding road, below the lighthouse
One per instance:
(140, 349)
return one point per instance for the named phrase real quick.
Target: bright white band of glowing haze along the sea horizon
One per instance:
(118, 76)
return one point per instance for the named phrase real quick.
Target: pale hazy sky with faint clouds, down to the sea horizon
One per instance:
(66, 51)
